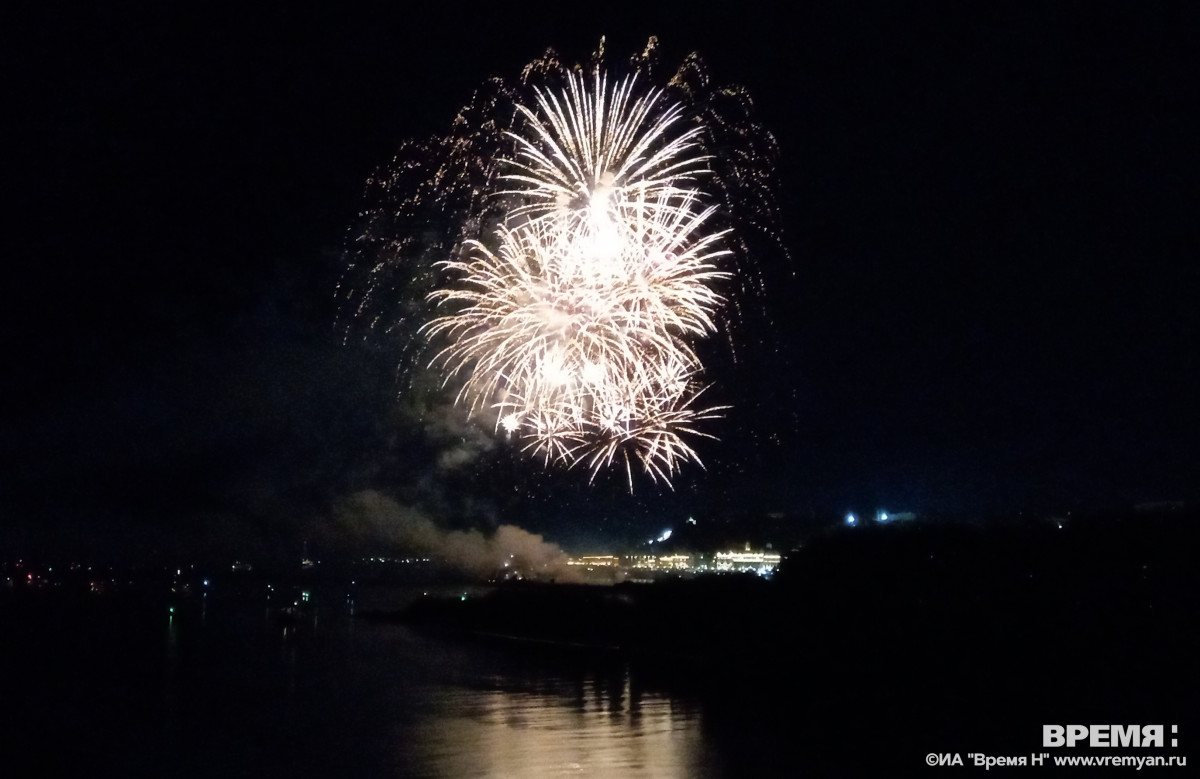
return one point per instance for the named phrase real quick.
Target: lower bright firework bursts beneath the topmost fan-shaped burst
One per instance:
(575, 334)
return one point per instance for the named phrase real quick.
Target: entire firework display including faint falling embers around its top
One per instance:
(595, 239)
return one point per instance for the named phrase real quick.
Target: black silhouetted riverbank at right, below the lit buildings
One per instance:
(891, 640)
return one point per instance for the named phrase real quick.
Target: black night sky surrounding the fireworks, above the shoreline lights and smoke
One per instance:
(992, 303)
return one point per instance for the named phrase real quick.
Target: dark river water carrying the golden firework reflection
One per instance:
(224, 687)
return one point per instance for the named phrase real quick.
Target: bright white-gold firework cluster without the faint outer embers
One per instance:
(575, 331)
